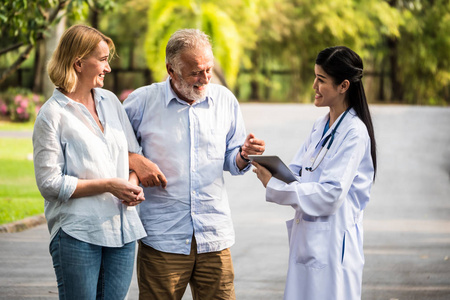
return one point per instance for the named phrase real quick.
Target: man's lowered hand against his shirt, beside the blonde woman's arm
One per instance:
(148, 172)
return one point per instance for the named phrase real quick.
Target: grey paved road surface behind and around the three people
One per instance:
(407, 222)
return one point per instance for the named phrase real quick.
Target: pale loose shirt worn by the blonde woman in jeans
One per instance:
(69, 145)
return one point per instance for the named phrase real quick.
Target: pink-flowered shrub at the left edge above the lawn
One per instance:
(21, 105)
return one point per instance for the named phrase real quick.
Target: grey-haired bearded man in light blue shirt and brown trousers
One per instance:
(191, 131)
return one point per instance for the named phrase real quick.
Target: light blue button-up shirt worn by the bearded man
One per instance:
(192, 145)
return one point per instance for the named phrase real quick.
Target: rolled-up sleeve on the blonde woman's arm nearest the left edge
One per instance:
(49, 163)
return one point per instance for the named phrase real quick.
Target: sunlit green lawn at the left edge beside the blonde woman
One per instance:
(19, 195)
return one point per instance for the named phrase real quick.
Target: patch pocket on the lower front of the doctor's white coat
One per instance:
(313, 244)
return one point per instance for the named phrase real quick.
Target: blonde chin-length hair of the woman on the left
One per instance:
(77, 42)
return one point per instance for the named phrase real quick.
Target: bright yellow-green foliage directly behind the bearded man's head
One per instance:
(219, 19)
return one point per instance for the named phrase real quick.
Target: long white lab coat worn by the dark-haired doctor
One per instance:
(326, 236)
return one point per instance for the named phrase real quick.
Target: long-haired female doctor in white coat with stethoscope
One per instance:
(336, 167)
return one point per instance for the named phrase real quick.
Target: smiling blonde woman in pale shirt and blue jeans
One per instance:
(81, 141)
